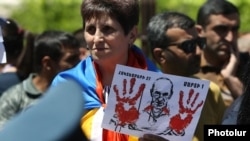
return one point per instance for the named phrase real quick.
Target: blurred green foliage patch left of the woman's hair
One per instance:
(39, 15)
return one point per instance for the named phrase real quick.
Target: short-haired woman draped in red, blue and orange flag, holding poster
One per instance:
(110, 29)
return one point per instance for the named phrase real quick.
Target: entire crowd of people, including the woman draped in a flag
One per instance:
(207, 49)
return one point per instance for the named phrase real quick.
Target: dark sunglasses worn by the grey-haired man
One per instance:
(189, 46)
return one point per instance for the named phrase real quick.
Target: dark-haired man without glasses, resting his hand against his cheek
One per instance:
(219, 22)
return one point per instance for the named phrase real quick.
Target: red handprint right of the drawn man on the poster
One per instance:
(177, 123)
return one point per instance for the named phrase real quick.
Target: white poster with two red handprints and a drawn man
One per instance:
(142, 102)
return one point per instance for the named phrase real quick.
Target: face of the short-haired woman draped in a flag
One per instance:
(106, 40)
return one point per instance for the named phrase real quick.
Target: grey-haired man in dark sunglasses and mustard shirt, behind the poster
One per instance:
(177, 48)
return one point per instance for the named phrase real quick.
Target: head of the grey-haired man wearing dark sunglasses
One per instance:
(175, 43)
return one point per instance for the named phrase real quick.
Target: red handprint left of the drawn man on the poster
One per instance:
(131, 114)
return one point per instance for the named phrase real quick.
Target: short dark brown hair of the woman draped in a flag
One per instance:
(126, 12)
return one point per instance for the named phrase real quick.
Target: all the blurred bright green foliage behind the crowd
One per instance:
(38, 15)
